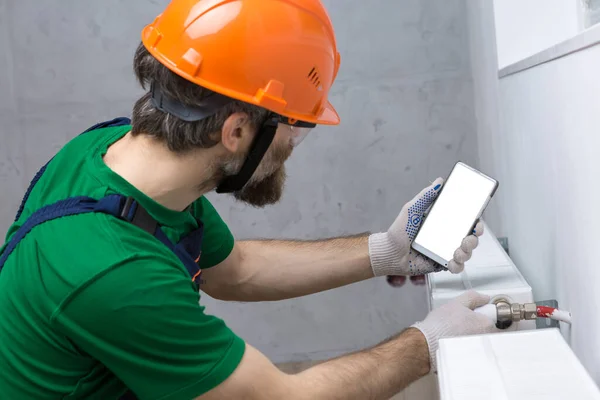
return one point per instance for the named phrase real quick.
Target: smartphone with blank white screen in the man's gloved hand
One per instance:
(454, 214)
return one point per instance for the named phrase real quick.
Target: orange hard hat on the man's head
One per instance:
(277, 54)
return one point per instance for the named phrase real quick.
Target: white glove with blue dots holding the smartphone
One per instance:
(390, 251)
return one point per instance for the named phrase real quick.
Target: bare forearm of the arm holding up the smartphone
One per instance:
(277, 269)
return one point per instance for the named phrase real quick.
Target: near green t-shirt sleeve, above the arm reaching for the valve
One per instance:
(143, 321)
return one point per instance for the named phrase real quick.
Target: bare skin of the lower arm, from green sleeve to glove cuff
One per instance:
(376, 373)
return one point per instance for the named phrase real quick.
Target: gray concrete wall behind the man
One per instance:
(404, 94)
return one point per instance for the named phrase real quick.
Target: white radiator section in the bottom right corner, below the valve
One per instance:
(524, 365)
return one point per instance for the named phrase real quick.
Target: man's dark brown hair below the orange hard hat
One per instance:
(179, 135)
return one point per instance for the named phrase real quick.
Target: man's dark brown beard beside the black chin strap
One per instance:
(264, 192)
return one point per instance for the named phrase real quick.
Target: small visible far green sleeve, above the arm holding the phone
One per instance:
(217, 242)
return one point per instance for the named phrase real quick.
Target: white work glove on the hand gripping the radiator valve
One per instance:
(455, 319)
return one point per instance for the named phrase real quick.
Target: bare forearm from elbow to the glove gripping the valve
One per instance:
(377, 373)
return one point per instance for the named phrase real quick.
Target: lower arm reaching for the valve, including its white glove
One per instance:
(376, 373)
